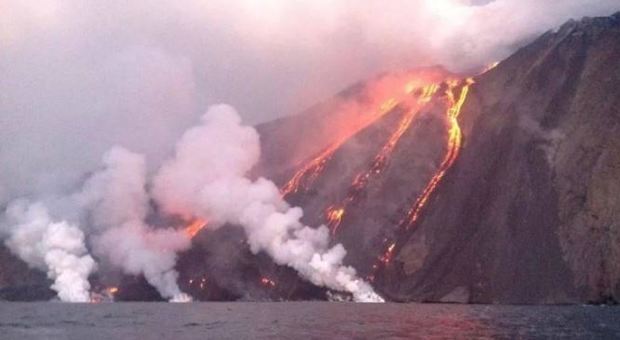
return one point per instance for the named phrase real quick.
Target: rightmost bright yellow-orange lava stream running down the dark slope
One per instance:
(454, 147)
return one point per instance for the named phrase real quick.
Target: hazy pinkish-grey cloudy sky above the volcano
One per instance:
(77, 77)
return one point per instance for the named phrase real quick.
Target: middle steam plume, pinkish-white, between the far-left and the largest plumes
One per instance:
(117, 199)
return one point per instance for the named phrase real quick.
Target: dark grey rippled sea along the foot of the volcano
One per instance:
(304, 320)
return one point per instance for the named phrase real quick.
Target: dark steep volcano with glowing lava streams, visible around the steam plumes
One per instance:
(498, 186)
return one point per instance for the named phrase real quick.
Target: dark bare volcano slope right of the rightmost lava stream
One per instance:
(529, 213)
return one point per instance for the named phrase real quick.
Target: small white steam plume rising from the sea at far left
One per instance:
(56, 247)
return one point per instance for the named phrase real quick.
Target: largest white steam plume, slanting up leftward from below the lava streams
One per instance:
(206, 178)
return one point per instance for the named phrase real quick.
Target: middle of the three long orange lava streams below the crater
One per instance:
(335, 213)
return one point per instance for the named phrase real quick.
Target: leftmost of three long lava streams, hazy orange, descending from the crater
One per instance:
(311, 171)
